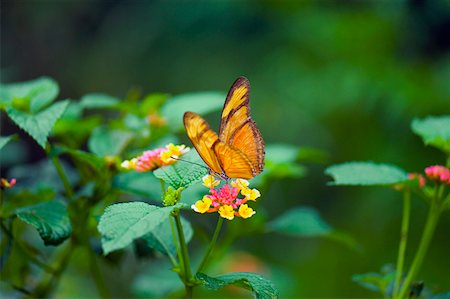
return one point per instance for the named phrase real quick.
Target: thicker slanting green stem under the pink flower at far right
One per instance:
(430, 225)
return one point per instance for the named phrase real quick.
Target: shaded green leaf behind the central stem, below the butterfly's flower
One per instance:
(161, 238)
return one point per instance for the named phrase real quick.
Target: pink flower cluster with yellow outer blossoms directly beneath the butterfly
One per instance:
(226, 200)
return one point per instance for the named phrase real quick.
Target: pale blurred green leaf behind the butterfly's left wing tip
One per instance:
(200, 102)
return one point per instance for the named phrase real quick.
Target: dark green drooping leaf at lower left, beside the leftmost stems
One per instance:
(51, 220)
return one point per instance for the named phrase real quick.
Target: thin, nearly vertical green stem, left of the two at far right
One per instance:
(403, 240)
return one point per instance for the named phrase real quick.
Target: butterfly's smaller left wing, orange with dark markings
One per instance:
(203, 139)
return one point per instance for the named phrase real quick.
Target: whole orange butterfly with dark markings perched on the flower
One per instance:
(238, 150)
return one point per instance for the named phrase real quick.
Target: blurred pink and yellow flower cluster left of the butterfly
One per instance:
(151, 160)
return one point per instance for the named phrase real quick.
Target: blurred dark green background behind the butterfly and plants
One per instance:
(344, 77)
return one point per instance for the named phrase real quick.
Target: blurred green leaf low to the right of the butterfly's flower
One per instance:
(300, 221)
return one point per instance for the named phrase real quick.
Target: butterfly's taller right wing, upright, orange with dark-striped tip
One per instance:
(239, 132)
